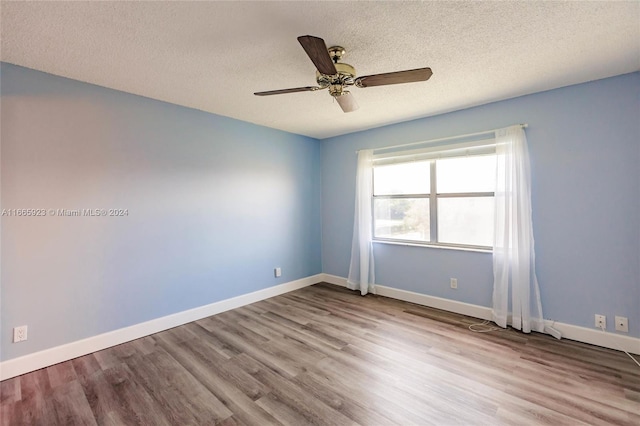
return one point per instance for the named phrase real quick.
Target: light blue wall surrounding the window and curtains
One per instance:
(584, 143)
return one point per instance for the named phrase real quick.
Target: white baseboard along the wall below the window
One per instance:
(568, 331)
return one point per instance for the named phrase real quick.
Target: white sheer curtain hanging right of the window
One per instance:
(513, 251)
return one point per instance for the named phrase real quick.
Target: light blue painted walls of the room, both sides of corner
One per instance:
(215, 203)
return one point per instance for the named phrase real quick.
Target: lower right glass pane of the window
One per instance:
(466, 220)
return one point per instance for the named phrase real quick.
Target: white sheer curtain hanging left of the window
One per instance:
(361, 271)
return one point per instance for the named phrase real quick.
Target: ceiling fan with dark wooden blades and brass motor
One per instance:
(336, 76)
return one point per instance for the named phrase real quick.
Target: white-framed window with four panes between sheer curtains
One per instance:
(436, 197)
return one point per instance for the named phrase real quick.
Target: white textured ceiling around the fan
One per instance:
(212, 56)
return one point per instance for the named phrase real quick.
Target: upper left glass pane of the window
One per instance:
(404, 178)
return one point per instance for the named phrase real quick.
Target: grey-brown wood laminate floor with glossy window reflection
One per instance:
(325, 355)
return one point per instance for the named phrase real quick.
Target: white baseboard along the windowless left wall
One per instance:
(24, 364)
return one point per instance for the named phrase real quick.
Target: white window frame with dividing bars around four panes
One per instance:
(477, 148)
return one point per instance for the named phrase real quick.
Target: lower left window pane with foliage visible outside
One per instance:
(402, 218)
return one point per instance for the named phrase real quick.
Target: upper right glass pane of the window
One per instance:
(466, 174)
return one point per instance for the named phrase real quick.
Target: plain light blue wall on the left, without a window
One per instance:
(214, 205)
